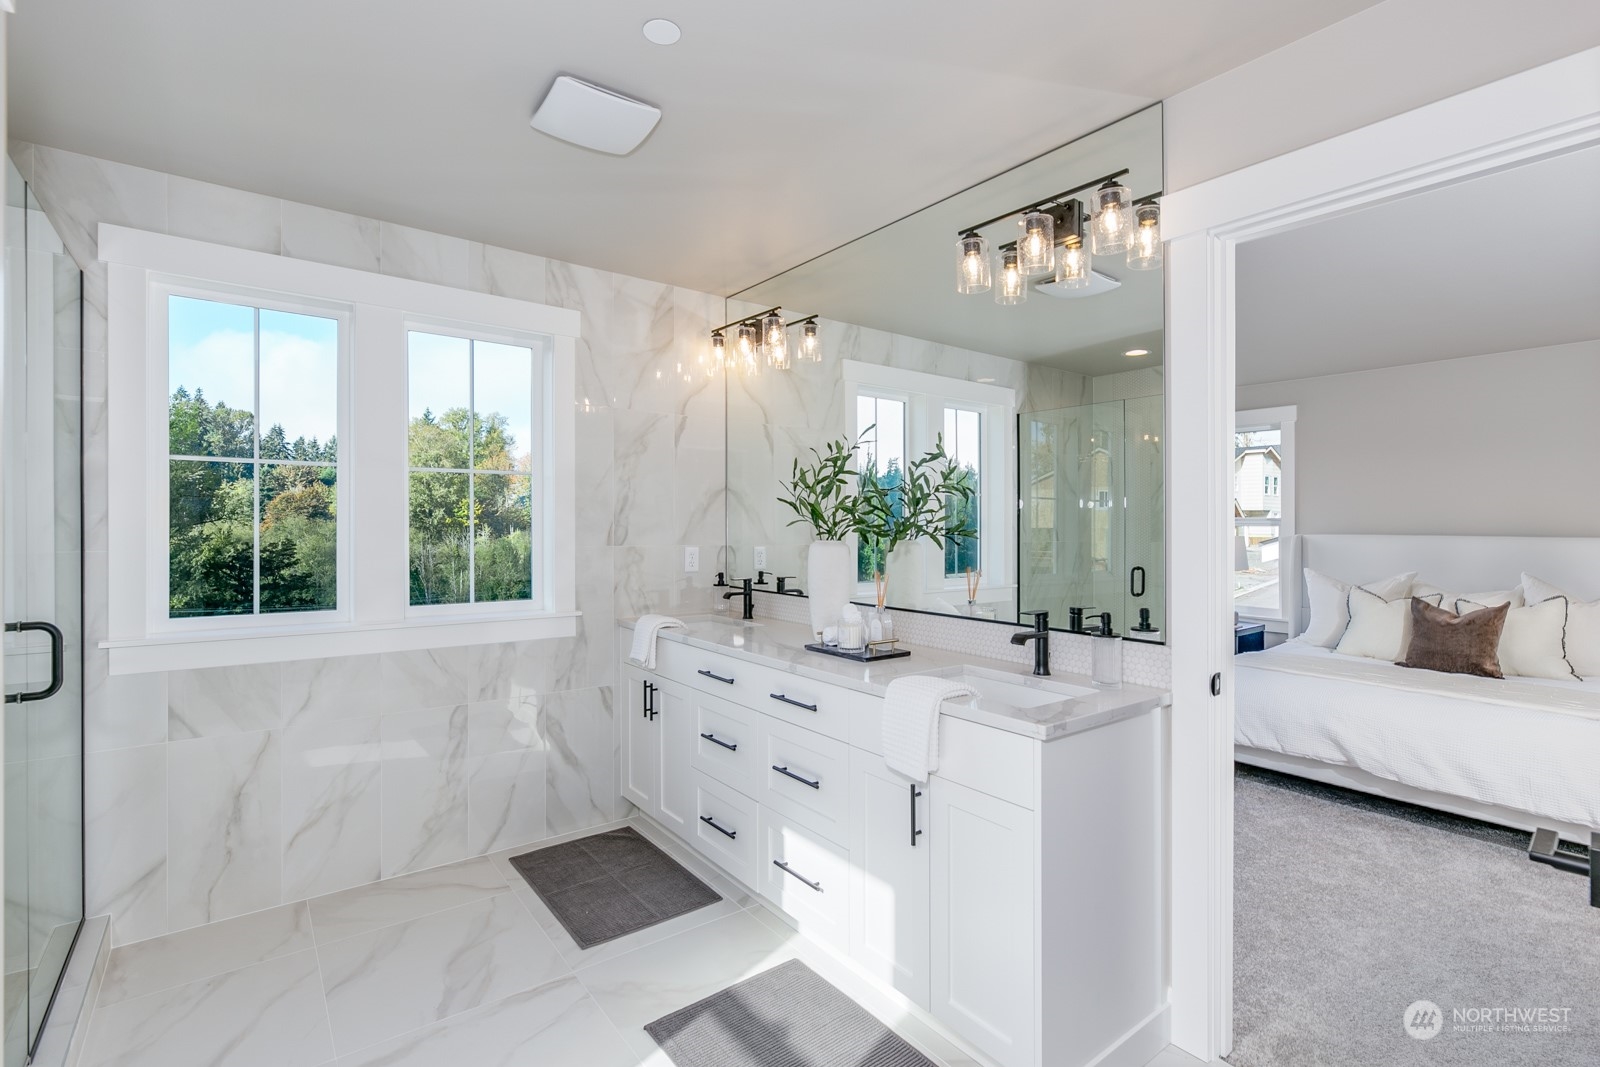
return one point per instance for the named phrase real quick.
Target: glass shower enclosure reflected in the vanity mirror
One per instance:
(1092, 532)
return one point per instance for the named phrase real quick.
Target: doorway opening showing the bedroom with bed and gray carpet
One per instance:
(1417, 591)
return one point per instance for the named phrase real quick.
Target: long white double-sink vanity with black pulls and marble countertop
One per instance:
(1017, 898)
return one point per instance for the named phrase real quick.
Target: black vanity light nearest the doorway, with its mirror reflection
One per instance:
(1057, 236)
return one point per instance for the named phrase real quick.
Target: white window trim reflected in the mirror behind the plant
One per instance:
(922, 394)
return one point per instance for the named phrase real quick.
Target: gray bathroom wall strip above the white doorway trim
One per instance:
(1383, 62)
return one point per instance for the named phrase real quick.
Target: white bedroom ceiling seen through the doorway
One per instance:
(1497, 265)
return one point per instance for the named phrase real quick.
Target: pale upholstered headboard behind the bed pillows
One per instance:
(1450, 562)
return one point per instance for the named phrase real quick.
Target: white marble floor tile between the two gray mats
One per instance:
(649, 983)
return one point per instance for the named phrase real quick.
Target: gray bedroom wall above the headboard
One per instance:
(1503, 444)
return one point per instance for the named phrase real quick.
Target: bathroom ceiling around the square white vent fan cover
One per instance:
(788, 129)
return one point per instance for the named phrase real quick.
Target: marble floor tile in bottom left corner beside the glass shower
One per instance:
(268, 1015)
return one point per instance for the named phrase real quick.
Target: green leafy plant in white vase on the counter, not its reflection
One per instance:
(823, 497)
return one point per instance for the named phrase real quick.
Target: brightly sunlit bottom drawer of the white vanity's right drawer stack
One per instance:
(806, 876)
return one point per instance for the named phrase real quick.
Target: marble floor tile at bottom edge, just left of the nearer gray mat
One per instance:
(556, 1025)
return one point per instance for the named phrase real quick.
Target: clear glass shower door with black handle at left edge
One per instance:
(44, 615)
